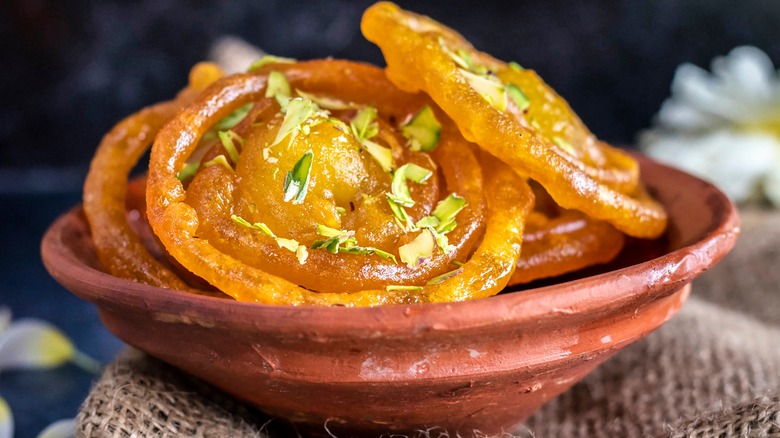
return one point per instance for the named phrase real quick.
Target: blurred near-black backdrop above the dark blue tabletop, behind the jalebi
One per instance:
(71, 69)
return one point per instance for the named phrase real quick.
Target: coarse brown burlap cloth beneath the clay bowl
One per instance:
(714, 370)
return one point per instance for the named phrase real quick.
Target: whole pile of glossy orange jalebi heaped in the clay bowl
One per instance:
(445, 177)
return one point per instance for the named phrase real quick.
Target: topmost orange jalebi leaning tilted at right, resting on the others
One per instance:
(512, 114)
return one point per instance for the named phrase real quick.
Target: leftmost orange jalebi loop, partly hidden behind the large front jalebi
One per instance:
(118, 247)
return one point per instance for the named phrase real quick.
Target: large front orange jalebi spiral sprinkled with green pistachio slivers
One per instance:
(244, 225)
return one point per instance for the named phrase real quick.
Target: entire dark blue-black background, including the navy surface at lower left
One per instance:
(69, 70)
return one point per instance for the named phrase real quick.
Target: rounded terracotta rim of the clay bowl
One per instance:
(607, 292)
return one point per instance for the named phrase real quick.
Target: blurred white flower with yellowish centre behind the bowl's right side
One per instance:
(724, 126)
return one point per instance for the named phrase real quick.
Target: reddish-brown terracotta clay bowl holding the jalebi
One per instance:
(485, 364)
